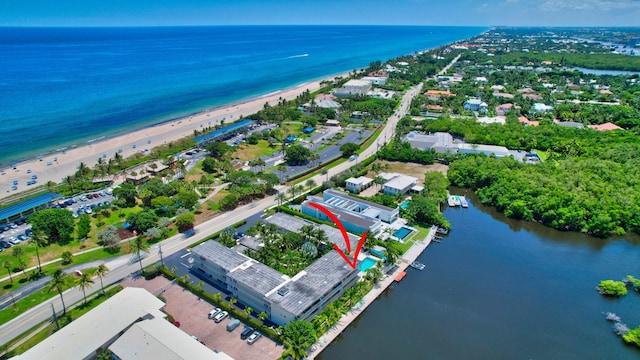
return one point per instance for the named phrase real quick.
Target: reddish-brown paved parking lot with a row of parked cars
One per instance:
(191, 312)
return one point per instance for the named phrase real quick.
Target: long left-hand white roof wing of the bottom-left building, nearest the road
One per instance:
(85, 335)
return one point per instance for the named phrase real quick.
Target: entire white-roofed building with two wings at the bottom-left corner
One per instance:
(131, 325)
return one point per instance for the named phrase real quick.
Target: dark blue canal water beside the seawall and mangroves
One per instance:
(498, 288)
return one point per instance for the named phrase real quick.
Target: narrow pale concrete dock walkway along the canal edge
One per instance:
(403, 263)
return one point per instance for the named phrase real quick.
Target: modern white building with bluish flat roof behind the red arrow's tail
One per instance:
(357, 215)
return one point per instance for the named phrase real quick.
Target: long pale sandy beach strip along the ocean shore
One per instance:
(62, 165)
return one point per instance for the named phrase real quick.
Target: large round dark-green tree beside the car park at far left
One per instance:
(56, 224)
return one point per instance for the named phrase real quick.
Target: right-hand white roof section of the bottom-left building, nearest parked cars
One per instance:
(158, 339)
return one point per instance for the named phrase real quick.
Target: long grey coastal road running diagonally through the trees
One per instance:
(120, 269)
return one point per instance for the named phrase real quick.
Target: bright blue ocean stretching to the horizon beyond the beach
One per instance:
(65, 86)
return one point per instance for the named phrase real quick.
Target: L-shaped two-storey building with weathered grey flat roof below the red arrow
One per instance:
(281, 297)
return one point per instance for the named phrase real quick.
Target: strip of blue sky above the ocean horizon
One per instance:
(320, 12)
